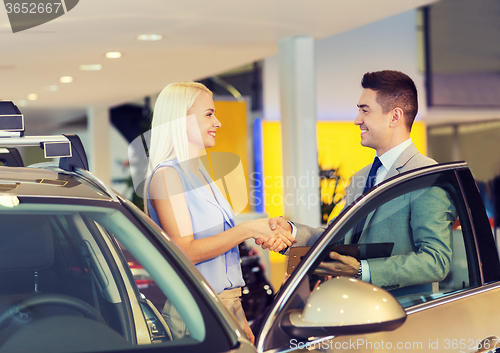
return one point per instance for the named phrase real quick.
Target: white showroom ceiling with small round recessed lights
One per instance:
(201, 38)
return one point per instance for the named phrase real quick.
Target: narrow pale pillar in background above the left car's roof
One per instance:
(99, 151)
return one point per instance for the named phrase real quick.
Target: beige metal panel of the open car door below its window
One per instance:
(454, 324)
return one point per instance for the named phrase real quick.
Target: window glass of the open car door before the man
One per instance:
(426, 224)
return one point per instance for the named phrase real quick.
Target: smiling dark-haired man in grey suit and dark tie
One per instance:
(419, 223)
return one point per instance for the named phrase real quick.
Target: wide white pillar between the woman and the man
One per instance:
(298, 121)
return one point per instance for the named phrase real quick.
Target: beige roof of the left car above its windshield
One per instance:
(36, 182)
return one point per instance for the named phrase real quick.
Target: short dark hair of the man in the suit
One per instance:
(394, 90)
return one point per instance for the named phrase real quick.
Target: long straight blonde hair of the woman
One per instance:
(168, 128)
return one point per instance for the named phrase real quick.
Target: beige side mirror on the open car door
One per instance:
(345, 306)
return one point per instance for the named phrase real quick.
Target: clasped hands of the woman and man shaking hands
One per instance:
(274, 234)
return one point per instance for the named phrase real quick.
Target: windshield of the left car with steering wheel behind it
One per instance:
(62, 265)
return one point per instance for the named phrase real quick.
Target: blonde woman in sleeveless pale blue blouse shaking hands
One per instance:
(186, 203)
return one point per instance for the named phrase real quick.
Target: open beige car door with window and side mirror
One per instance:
(448, 293)
